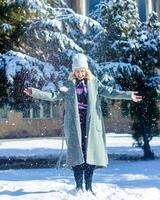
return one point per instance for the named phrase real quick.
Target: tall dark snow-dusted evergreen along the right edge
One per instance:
(143, 48)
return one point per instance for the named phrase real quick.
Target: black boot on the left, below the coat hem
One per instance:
(78, 175)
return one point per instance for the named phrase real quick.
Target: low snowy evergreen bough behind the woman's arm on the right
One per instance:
(122, 76)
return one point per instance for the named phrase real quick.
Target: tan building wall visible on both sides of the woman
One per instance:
(19, 125)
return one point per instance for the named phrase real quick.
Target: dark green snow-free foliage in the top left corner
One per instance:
(13, 18)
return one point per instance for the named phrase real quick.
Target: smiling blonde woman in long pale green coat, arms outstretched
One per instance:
(83, 127)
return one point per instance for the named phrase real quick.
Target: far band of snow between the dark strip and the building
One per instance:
(40, 147)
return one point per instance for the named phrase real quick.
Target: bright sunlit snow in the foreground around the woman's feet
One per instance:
(62, 190)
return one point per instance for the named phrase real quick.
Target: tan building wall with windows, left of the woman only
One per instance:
(43, 120)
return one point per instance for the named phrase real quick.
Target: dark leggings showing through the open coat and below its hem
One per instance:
(84, 169)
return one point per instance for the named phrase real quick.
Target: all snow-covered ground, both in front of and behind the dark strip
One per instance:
(121, 180)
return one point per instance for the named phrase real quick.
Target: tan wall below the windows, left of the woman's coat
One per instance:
(16, 127)
